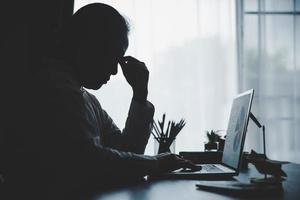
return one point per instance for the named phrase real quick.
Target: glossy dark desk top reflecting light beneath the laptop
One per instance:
(186, 189)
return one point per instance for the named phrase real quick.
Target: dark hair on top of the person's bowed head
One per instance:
(94, 20)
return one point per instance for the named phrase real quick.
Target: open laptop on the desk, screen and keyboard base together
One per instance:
(234, 144)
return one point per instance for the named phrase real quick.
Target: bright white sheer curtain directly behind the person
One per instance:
(189, 47)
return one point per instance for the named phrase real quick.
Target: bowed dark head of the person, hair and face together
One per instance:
(94, 40)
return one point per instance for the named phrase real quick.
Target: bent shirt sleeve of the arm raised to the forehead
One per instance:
(135, 135)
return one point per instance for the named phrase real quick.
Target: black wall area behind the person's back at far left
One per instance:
(27, 33)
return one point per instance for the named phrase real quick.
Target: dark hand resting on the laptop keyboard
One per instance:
(167, 162)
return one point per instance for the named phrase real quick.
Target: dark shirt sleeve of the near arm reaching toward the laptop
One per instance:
(61, 136)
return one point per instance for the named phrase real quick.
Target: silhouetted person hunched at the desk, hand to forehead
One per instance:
(74, 139)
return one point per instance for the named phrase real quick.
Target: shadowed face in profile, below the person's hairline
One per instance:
(99, 61)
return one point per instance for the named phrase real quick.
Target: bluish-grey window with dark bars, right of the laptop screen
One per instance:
(269, 61)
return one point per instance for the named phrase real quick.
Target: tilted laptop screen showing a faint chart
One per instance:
(236, 130)
